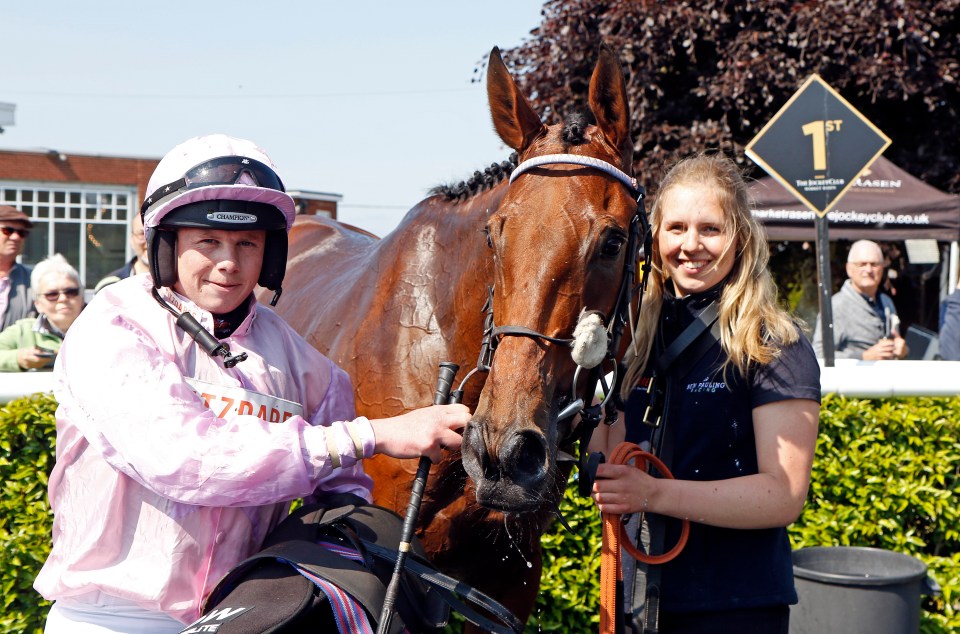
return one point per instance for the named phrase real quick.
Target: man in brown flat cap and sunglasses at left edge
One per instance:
(16, 297)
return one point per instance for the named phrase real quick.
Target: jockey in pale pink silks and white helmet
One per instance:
(190, 415)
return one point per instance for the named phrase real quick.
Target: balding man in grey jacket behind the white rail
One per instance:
(865, 321)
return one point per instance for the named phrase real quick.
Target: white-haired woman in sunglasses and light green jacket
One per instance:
(32, 343)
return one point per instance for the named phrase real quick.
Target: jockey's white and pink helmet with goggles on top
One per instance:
(221, 182)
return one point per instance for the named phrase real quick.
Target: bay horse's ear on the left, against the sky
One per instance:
(515, 121)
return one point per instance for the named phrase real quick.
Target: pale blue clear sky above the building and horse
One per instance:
(375, 101)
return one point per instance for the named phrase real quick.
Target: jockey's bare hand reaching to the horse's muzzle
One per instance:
(423, 432)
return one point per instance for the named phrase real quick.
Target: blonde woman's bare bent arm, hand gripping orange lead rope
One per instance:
(786, 436)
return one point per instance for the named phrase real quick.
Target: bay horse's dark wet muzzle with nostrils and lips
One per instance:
(511, 478)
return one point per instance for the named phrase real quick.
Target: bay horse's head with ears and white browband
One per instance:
(559, 245)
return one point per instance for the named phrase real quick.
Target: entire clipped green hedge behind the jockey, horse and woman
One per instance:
(885, 475)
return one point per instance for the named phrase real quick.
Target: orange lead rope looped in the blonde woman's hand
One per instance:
(615, 535)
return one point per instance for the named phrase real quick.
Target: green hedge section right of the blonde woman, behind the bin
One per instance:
(886, 476)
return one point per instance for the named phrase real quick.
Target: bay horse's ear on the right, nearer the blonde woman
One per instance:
(608, 101)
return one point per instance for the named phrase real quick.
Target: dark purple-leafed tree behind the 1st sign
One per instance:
(709, 74)
